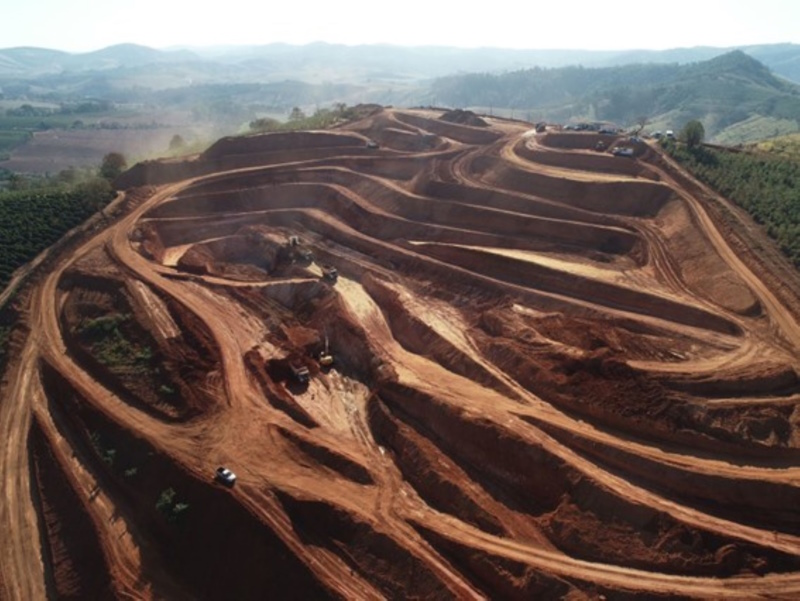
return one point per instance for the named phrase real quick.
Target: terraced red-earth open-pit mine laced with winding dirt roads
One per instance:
(422, 355)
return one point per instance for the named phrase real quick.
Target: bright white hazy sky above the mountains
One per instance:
(83, 25)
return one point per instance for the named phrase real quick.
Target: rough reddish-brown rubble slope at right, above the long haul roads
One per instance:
(598, 387)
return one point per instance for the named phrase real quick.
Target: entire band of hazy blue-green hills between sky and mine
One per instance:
(737, 97)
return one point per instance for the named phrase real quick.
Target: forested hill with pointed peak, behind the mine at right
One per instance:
(736, 97)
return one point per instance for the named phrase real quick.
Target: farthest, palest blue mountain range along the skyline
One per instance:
(340, 62)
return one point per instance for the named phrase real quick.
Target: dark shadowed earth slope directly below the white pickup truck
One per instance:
(199, 542)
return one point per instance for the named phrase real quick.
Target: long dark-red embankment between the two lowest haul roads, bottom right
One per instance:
(580, 516)
